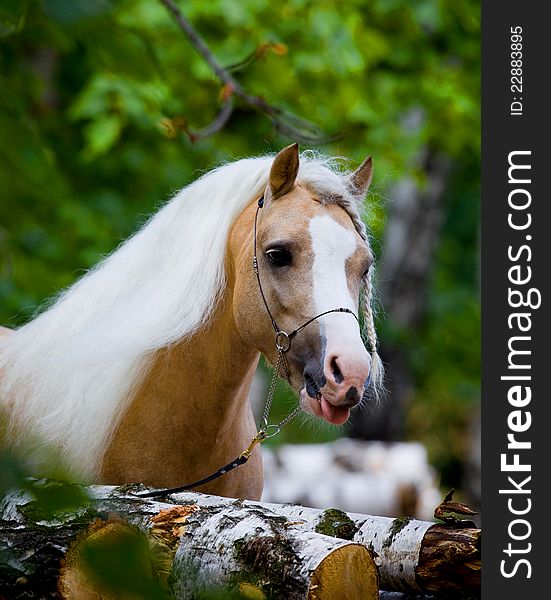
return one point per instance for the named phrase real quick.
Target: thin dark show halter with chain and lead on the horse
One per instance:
(282, 344)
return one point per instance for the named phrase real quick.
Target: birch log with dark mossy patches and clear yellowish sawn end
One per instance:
(248, 547)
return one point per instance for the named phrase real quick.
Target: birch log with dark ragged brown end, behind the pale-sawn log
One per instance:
(412, 556)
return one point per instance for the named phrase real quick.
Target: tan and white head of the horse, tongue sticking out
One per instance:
(313, 261)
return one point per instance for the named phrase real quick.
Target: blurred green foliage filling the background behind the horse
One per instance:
(97, 94)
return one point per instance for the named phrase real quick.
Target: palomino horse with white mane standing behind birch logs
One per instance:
(141, 370)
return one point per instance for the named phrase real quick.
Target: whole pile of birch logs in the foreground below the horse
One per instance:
(190, 545)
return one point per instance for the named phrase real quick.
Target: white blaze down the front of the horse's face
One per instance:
(332, 245)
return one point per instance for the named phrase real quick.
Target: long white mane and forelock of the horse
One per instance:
(68, 375)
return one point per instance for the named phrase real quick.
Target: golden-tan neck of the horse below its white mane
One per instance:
(190, 412)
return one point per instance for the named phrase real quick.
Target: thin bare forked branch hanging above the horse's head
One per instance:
(299, 129)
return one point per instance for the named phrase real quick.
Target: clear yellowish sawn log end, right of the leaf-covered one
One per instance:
(348, 573)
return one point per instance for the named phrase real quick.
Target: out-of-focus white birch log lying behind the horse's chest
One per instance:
(375, 478)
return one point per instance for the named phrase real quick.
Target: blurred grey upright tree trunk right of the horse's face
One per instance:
(411, 234)
